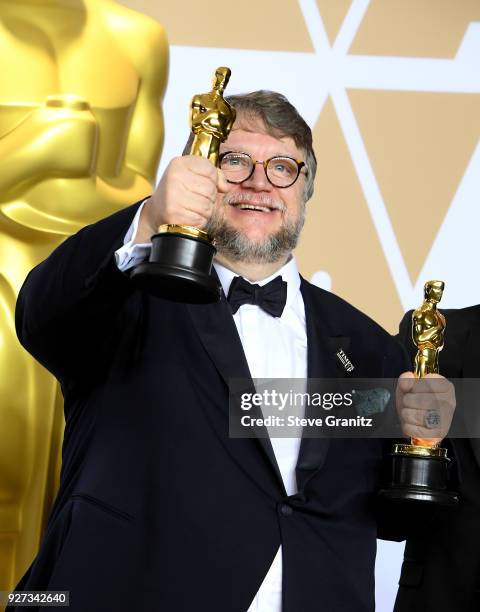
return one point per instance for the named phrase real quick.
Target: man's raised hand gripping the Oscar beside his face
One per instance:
(185, 195)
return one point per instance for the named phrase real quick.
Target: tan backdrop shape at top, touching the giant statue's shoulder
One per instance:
(276, 25)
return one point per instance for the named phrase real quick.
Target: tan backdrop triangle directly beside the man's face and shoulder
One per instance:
(339, 236)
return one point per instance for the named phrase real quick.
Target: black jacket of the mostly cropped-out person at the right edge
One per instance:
(441, 569)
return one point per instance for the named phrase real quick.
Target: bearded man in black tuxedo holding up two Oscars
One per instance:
(159, 509)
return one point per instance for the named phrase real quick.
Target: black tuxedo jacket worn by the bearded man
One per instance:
(158, 508)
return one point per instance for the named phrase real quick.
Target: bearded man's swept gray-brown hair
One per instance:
(281, 119)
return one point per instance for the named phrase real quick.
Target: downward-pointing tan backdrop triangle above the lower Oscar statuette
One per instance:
(419, 145)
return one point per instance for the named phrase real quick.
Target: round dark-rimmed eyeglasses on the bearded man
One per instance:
(281, 171)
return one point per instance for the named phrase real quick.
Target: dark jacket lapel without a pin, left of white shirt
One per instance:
(218, 333)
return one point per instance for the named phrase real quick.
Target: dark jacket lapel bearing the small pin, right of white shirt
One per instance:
(322, 362)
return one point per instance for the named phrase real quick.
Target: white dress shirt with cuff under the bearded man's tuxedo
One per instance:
(275, 347)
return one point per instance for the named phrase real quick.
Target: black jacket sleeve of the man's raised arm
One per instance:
(69, 309)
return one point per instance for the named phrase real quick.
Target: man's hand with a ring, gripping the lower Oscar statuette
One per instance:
(425, 407)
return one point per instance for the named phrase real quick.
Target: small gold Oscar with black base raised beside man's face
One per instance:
(181, 258)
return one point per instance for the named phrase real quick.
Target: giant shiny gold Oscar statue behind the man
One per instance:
(81, 131)
